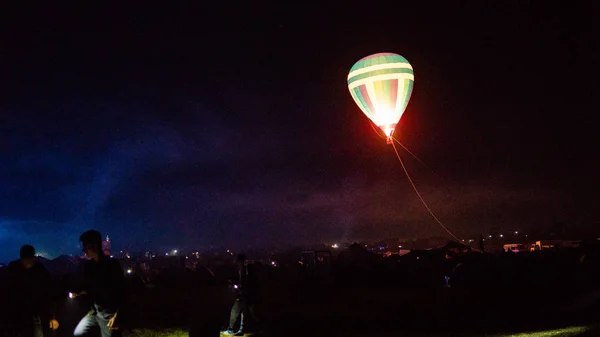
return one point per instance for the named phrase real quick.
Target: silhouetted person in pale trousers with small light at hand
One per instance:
(104, 284)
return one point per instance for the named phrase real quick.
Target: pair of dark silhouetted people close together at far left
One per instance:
(31, 295)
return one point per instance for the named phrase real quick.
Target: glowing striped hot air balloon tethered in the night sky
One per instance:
(381, 85)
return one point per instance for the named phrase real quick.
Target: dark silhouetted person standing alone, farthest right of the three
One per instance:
(247, 296)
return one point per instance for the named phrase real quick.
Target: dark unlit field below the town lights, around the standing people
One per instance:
(542, 294)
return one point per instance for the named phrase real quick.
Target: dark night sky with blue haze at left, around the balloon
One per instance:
(231, 124)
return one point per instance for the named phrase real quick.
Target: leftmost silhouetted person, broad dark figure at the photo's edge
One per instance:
(30, 293)
